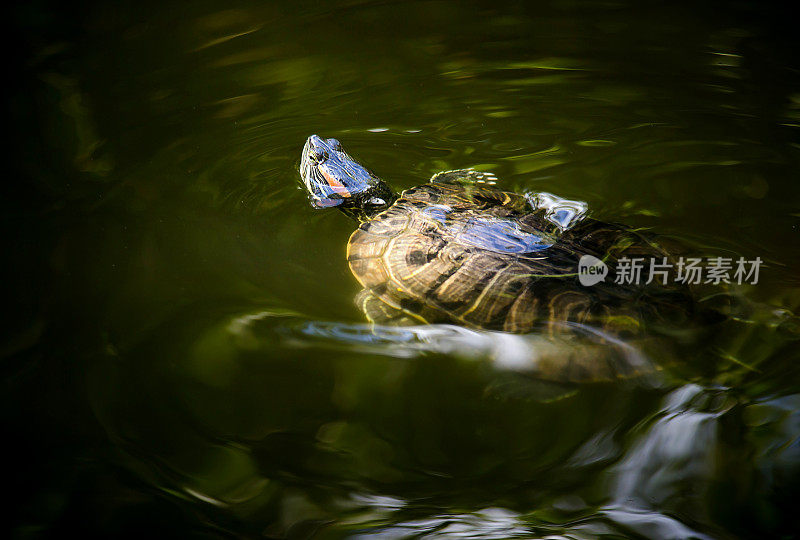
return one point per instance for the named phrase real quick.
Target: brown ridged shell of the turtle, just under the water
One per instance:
(481, 257)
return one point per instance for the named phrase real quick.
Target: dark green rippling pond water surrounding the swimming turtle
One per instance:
(181, 352)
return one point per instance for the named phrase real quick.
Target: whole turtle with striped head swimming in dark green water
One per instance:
(461, 250)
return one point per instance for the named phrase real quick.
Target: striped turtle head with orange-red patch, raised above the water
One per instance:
(333, 178)
